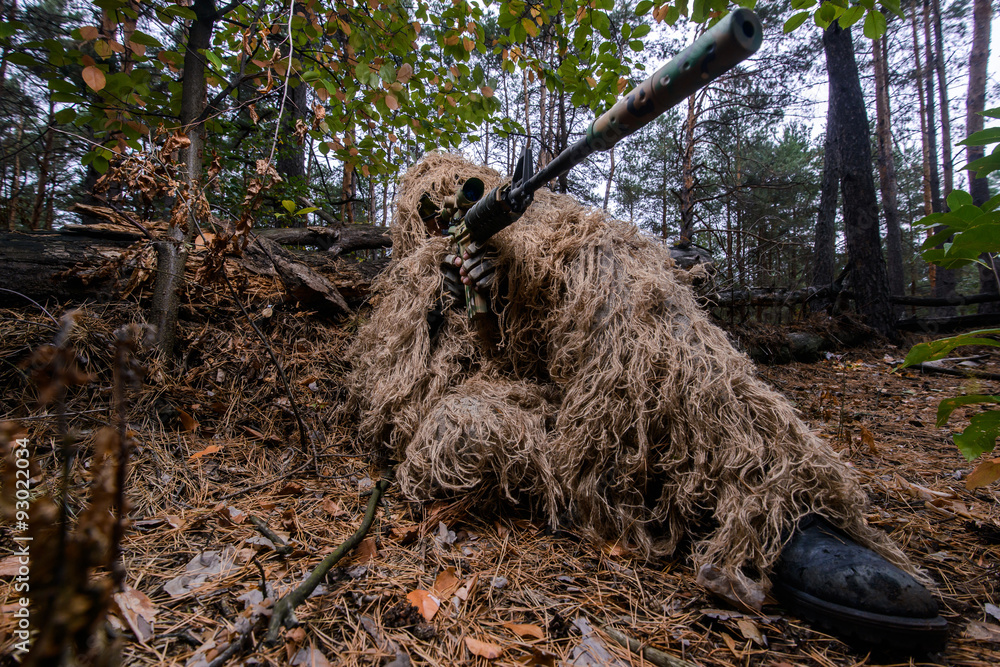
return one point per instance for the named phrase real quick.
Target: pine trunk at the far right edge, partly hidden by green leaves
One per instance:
(975, 103)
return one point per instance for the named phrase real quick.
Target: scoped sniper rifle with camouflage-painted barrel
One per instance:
(474, 217)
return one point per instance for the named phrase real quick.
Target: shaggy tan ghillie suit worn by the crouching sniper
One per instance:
(610, 400)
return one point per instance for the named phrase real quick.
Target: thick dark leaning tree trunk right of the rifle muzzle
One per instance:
(868, 278)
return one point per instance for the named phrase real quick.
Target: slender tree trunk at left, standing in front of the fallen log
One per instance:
(171, 252)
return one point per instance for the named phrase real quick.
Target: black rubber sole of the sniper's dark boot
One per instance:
(870, 630)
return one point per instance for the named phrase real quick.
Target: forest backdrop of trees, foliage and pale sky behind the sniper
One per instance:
(340, 97)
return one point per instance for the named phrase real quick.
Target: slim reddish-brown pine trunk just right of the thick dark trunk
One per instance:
(887, 169)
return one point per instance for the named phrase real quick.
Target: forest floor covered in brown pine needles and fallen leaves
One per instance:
(216, 445)
